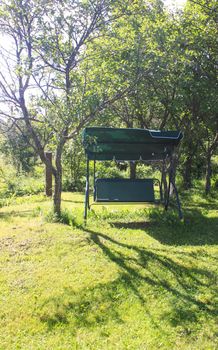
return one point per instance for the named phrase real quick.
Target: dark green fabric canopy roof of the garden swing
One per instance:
(129, 144)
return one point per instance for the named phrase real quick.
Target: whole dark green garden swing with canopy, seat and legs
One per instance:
(119, 144)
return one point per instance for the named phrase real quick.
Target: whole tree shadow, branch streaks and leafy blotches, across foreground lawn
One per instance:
(142, 273)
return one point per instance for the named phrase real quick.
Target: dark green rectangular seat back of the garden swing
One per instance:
(124, 190)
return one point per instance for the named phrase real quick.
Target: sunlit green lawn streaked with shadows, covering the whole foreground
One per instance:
(132, 278)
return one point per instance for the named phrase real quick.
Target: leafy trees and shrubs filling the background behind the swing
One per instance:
(136, 65)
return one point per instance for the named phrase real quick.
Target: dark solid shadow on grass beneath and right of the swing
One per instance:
(196, 230)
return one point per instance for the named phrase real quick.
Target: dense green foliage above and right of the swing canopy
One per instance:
(171, 61)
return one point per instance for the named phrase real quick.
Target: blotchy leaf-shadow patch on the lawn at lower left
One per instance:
(87, 308)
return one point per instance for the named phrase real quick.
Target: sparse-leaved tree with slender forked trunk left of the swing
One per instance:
(48, 43)
